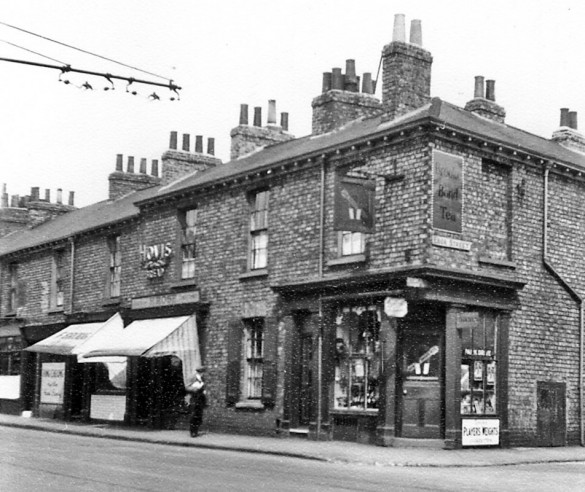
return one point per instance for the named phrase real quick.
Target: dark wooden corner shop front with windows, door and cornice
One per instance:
(392, 366)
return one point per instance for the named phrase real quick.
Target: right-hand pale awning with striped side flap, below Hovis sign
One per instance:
(148, 338)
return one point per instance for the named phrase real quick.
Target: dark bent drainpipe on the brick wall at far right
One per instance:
(573, 294)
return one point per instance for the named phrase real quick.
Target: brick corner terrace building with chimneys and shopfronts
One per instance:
(407, 271)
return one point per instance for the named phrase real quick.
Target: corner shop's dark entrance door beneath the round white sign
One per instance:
(420, 387)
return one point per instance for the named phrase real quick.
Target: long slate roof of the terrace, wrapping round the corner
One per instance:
(437, 111)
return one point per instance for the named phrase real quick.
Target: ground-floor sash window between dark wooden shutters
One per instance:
(254, 348)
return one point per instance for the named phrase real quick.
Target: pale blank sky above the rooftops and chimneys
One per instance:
(224, 53)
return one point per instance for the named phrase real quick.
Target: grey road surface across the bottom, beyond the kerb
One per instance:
(35, 460)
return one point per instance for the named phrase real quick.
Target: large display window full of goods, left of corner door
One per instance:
(358, 358)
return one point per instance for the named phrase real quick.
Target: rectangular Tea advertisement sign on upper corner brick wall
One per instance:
(447, 191)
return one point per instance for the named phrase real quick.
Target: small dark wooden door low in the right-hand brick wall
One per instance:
(551, 422)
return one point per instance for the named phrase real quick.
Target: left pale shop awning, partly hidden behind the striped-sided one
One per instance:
(67, 341)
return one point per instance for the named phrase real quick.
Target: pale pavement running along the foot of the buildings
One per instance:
(327, 451)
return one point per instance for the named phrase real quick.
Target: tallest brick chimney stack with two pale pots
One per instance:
(406, 79)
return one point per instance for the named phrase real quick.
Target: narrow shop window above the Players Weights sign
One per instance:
(479, 366)
